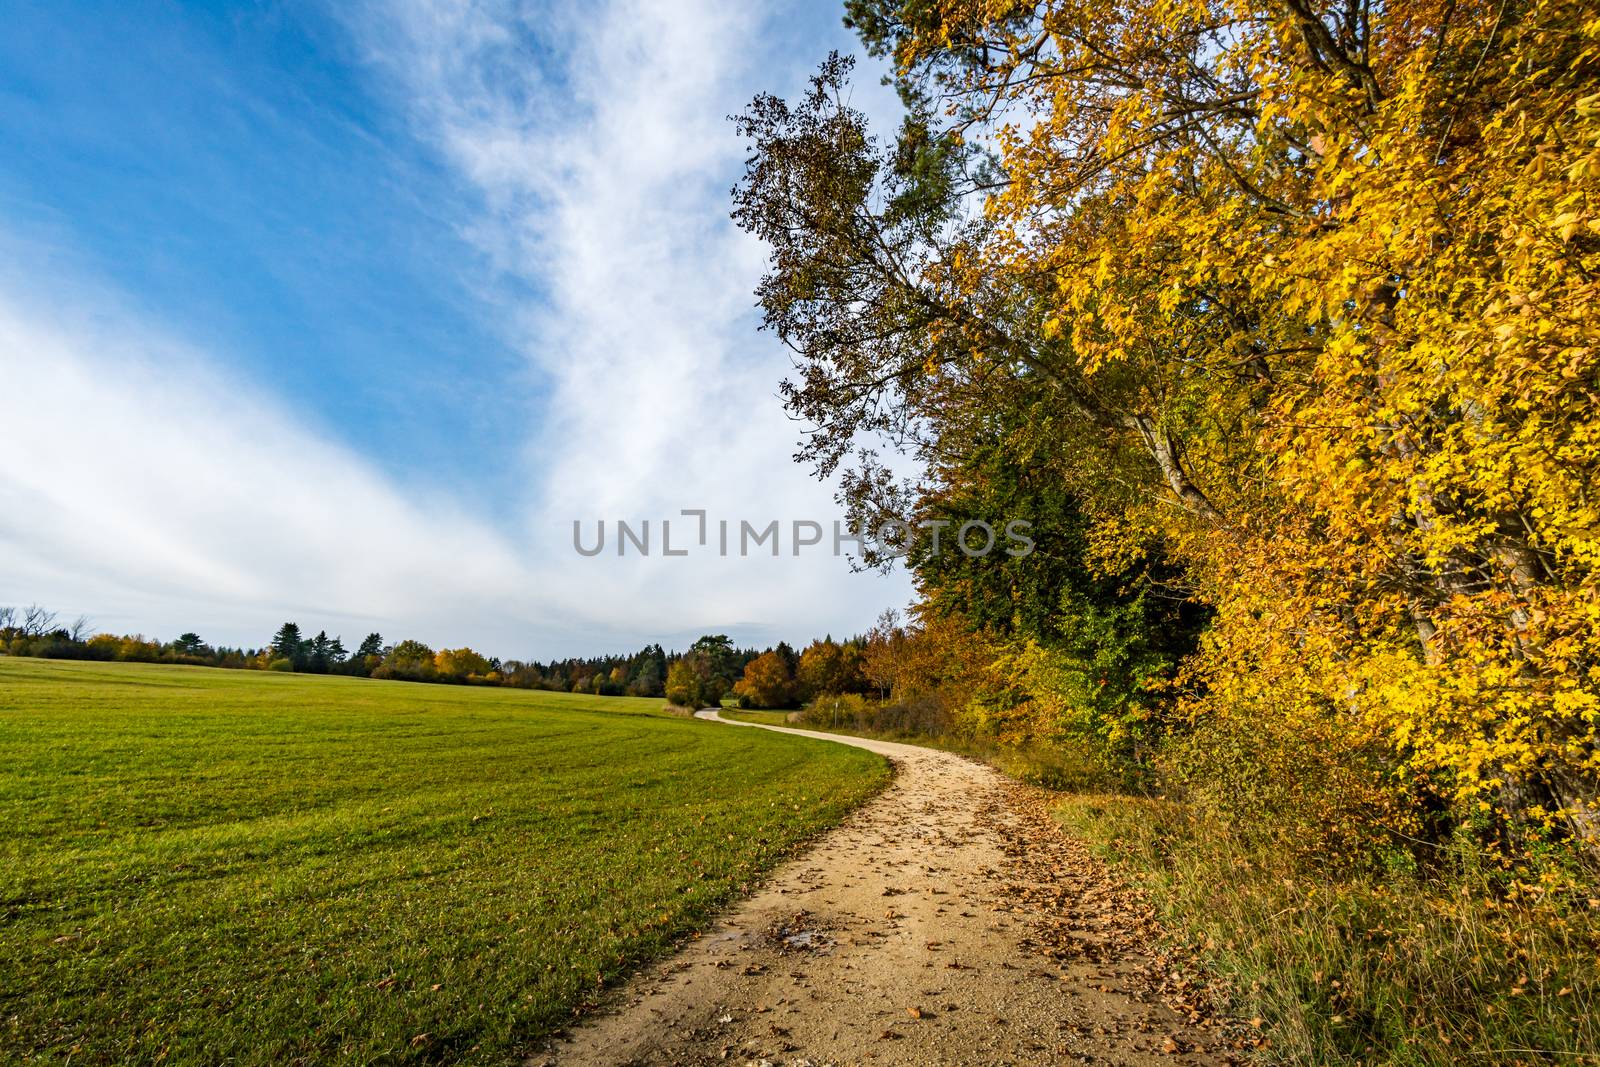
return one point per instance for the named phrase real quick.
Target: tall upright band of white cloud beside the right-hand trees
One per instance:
(606, 182)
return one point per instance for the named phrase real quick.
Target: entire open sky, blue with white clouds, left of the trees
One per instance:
(346, 311)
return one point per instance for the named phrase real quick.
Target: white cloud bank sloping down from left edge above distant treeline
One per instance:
(148, 490)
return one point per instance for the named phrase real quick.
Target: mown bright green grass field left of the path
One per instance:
(206, 866)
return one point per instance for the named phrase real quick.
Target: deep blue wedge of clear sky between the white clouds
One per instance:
(233, 169)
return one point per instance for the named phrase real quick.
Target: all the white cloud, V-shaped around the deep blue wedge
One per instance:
(148, 487)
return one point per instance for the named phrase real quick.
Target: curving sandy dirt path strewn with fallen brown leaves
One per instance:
(945, 922)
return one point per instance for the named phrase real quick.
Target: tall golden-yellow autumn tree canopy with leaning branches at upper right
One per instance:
(1302, 294)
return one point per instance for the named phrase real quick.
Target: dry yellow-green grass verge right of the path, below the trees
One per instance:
(1401, 972)
